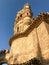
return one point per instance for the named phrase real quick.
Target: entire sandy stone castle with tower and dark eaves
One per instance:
(30, 42)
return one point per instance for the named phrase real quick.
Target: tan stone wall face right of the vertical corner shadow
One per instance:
(43, 37)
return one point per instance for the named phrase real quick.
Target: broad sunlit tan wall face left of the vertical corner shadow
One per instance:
(25, 48)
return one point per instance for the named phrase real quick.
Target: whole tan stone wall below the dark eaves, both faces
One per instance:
(25, 48)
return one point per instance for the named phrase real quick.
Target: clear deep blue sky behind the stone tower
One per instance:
(8, 10)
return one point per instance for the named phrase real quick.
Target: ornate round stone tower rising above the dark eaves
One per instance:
(23, 19)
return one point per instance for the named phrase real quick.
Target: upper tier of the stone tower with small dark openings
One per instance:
(25, 12)
